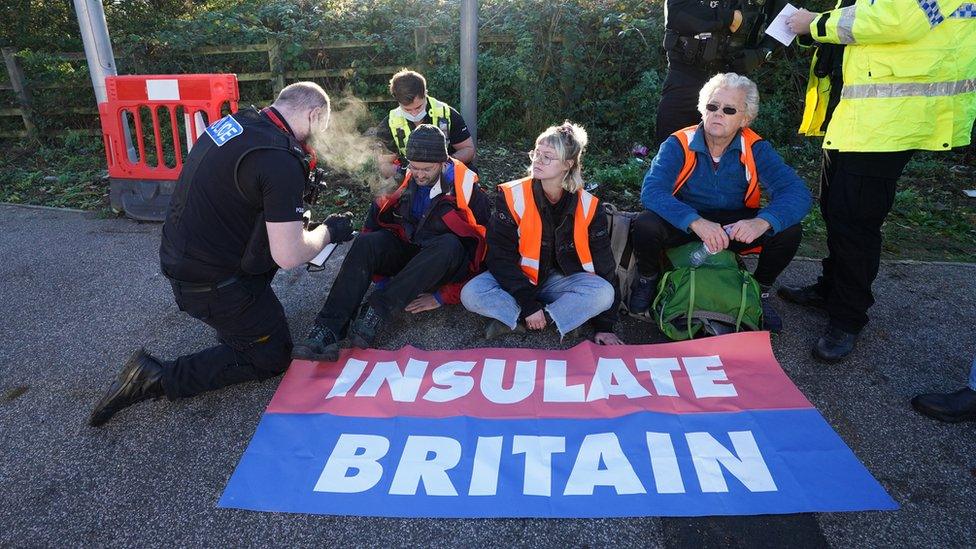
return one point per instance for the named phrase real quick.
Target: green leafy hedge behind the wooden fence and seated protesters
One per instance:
(606, 72)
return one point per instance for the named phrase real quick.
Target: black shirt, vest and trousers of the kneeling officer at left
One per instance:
(243, 171)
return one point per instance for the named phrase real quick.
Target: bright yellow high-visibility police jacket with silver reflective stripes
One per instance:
(909, 71)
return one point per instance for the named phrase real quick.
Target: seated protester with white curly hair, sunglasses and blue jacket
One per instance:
(705, 183)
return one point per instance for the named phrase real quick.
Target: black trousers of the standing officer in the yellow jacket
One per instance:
(857, 191)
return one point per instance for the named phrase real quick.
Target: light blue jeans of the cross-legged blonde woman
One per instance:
(570, 300)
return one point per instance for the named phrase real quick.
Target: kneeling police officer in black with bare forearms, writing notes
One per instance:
(235, 218)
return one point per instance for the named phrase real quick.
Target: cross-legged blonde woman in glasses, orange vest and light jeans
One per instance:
(549, 255)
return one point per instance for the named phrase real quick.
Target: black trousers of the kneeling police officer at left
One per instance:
(255, 343)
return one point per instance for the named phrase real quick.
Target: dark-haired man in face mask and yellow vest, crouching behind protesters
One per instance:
(409, 88)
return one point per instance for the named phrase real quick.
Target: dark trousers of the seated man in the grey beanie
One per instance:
(414, 269)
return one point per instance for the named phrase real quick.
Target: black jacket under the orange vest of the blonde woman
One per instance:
(558, 251)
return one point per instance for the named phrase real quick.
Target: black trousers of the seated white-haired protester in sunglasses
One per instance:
(652, 235)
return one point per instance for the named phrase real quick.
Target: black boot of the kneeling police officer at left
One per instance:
(140, 379)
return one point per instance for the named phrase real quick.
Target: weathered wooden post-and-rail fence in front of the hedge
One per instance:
(276, 74)
